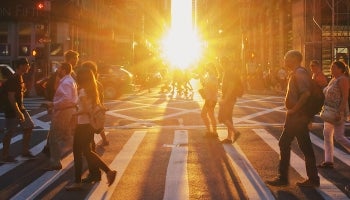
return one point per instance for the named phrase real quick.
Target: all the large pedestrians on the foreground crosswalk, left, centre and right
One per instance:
(74, 91)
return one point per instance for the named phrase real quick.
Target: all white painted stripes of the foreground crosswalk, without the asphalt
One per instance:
(176, 180)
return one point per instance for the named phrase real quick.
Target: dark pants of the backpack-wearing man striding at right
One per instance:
(296, 126)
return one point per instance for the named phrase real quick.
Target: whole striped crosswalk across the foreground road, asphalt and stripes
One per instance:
(178, 149)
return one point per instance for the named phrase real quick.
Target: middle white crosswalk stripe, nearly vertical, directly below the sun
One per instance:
(176, 183)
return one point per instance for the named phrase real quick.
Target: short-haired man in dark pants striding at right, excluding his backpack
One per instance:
(296, 124)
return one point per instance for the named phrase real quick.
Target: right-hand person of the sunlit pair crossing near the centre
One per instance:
(231, 84)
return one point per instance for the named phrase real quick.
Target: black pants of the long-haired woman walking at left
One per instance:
(83, 135)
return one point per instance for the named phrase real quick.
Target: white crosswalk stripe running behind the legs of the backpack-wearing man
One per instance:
(327, 189)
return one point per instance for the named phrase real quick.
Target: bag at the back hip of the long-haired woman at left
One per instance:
(97, 116)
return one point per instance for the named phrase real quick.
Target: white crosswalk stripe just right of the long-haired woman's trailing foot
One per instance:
(120, 163)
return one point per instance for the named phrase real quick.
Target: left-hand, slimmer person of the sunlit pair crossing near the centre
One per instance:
(210, 89)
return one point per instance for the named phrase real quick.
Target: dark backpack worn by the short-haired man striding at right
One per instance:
(315, 101)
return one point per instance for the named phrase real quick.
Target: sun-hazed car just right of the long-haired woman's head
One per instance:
(116, 80)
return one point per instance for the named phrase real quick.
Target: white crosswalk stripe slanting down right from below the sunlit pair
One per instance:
(253, 184)
